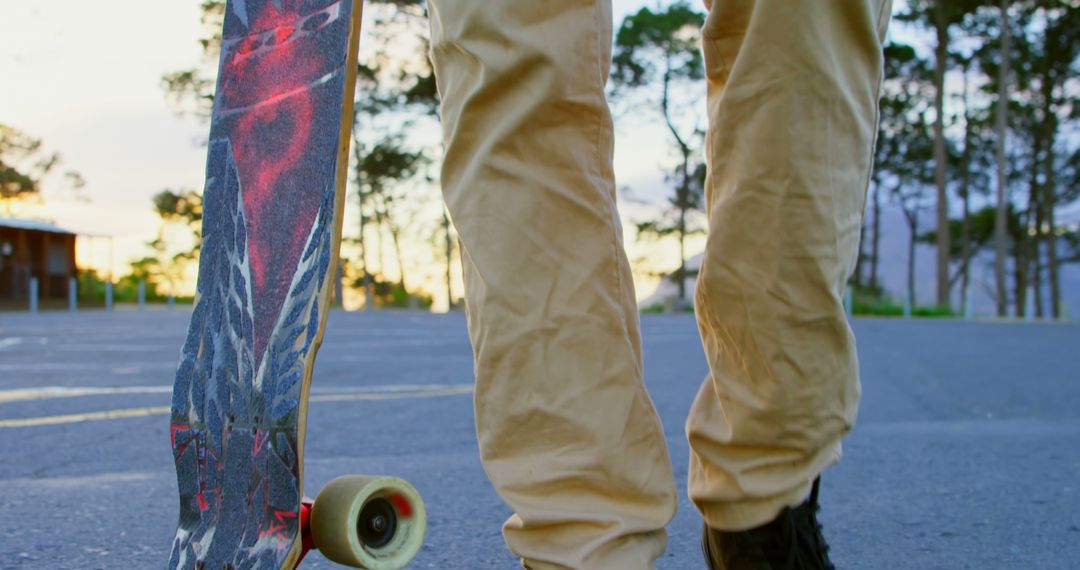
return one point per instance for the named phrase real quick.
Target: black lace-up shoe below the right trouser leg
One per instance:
(793, 541)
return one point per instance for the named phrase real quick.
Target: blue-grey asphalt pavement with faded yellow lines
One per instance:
(967, 454)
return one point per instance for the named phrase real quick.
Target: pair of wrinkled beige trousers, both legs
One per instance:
(568, 433)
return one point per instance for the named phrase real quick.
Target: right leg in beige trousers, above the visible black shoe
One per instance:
(793, 90)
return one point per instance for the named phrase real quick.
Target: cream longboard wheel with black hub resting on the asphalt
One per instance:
(372, 523)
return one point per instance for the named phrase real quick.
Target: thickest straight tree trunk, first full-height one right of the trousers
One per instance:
(941, 25)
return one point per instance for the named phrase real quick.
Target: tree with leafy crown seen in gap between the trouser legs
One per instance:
(663, 49)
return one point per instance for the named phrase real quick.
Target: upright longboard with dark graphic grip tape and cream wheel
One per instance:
(273, 210)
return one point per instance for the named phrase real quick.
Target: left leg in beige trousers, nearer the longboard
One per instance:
(568, 433)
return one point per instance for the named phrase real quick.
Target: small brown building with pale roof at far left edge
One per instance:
(31, 249)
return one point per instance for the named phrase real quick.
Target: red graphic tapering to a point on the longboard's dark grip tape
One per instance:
(273, 143)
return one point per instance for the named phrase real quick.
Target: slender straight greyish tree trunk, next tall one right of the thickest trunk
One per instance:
(1001, 219)
